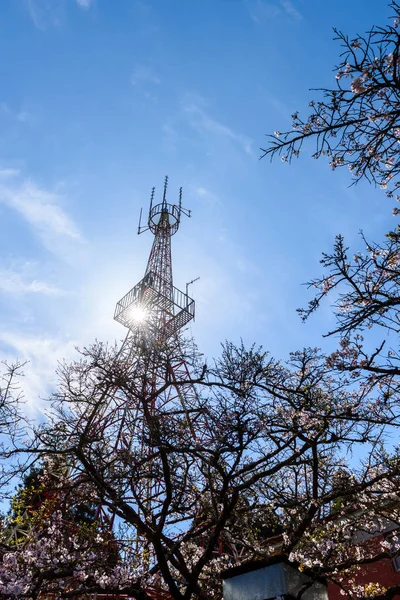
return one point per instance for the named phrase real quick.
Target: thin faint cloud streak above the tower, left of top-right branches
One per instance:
(202, 122)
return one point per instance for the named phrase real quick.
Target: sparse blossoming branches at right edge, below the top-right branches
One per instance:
(367, 309)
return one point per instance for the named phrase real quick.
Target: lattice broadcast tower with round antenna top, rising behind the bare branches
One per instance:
(154, 311)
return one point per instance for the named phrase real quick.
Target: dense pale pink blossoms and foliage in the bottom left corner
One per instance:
(54, 543)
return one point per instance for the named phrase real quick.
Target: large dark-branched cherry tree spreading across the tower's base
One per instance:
(258, 450)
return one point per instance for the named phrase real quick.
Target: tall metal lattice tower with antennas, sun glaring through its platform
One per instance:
(153, 311)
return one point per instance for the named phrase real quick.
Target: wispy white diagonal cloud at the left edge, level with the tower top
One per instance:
(40, 208)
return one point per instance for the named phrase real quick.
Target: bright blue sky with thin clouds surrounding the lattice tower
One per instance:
(99, 99)
